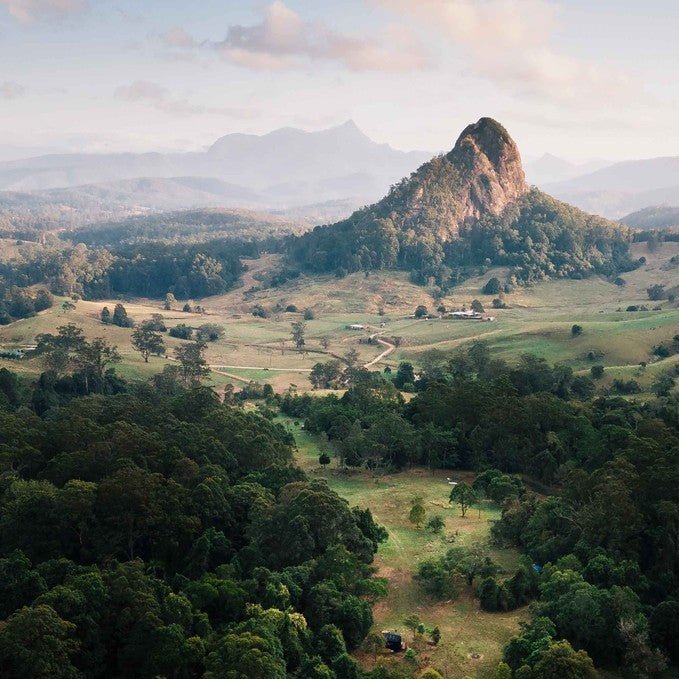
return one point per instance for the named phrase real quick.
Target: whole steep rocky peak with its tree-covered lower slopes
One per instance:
(470, 207)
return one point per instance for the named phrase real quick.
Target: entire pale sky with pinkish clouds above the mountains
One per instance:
(579, 78)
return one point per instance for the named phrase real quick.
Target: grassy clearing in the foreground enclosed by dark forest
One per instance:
(466, 630)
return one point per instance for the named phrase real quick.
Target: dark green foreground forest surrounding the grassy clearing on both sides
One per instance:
(172, 534)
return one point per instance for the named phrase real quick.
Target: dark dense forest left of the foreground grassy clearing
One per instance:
(149, 531)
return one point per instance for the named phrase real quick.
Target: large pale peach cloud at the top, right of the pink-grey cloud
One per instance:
(507, 42)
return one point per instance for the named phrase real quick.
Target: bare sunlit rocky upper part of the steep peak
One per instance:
(481, 176)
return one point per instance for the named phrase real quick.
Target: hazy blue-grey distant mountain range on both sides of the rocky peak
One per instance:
(321, 175)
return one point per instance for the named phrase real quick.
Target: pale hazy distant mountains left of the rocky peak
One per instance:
(332, 164)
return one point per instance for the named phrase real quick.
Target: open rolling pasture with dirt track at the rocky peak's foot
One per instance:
(538, 320)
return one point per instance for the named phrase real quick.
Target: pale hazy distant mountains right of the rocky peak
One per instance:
(623, 187)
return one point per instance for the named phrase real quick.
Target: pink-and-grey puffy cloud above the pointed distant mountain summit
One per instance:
(283, 39)
